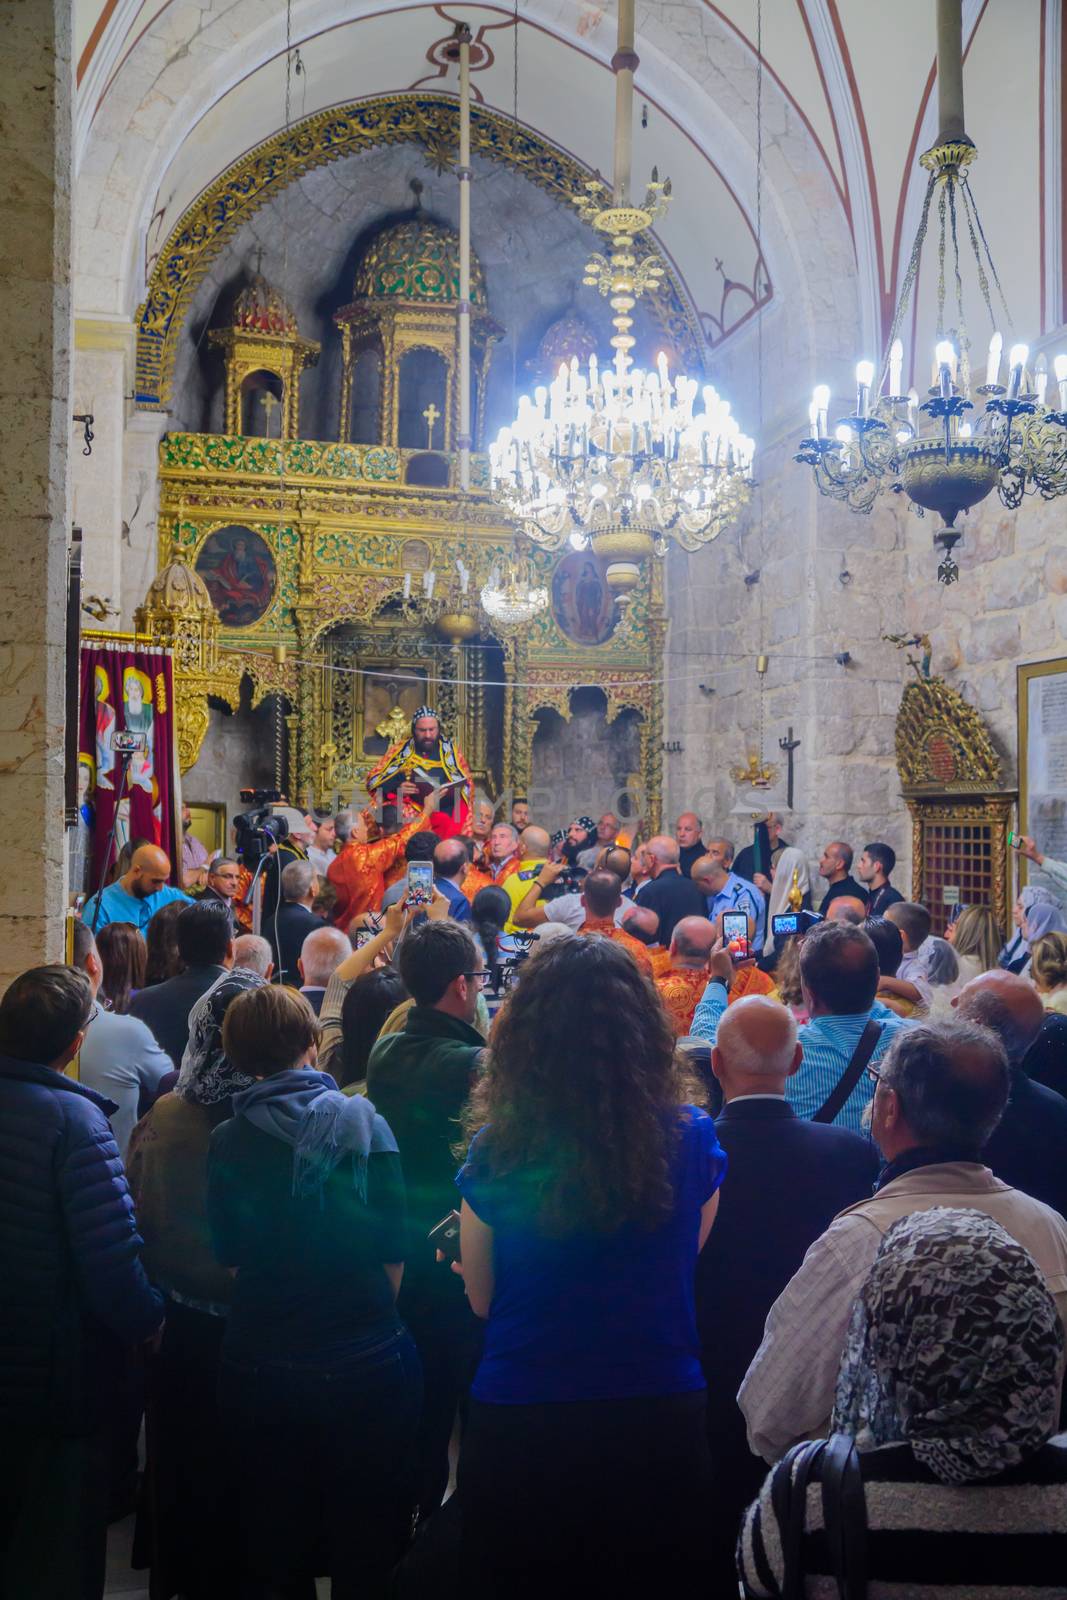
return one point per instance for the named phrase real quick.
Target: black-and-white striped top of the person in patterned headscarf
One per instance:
(1004, 1540)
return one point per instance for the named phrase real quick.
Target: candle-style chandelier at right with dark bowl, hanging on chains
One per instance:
(941, 452)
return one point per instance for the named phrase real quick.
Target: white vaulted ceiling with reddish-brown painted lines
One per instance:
(170, 95)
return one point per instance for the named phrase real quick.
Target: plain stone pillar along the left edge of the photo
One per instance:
(36, 94)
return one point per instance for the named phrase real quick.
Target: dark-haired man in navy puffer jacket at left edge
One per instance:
(74, 1292)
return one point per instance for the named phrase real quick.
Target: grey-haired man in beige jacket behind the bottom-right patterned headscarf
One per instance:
(940, 1092)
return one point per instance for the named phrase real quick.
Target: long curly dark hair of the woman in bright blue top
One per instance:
(586, 1119)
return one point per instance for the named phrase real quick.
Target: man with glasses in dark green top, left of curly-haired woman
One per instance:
(420, 1081)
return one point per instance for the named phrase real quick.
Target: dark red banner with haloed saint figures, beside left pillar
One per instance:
(127, 690)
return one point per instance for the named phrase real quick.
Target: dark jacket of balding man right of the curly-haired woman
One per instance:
(786, 1182)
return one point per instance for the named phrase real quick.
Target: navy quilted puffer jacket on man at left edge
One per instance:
(73, 1289)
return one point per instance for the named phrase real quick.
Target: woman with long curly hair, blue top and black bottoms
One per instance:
(588, 1193)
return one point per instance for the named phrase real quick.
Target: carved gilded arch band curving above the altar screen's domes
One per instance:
(428, 121)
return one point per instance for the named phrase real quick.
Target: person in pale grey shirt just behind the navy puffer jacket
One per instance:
(121, 1058)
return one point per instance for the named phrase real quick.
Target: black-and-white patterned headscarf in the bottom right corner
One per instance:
(954, 1348)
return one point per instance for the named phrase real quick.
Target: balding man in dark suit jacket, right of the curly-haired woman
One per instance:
(786, 1182)
